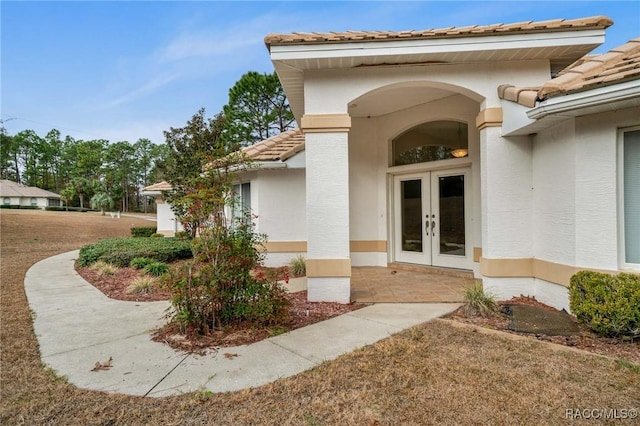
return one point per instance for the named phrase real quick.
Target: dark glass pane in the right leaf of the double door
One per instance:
(451, 201)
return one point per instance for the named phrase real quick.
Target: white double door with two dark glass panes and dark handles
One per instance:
(431, 218)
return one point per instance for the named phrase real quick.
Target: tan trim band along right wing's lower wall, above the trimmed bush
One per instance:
(556, 273)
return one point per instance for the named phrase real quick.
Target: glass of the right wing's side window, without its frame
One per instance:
(631, 166)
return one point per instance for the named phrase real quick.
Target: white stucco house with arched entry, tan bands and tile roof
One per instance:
(466, 148)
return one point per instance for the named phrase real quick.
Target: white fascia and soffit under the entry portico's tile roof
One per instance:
(560, 48)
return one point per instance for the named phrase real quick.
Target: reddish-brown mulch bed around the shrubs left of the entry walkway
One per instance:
(301, 313)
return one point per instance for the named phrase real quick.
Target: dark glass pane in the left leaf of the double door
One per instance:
(411, 207)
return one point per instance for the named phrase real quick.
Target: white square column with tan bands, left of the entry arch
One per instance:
(327, 186)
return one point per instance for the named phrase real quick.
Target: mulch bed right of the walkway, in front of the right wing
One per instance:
(586, 340)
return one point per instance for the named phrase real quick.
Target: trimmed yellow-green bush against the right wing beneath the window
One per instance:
(607, 304)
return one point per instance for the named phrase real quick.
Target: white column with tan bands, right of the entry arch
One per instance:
(507, 202)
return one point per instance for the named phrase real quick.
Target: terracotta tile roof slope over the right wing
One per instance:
(616, 66)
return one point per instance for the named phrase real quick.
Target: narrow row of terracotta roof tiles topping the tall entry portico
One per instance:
(450, 32)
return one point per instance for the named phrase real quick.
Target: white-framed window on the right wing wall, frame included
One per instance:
(629, 179)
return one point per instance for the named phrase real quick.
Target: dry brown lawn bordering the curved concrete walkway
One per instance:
(432, 374)
